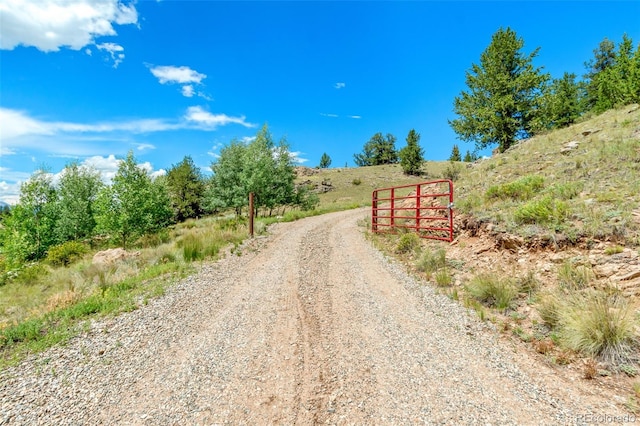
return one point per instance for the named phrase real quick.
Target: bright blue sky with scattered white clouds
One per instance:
(89, 80)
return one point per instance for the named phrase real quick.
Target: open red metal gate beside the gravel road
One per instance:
(426, 207)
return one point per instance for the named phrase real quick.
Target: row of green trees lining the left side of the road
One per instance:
(80, 207)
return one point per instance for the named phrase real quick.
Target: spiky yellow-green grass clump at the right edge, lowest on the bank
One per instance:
(600, 325)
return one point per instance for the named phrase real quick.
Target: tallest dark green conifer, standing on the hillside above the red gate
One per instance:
(503, 94)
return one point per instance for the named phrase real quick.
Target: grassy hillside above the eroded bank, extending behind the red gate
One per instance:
(573, 185)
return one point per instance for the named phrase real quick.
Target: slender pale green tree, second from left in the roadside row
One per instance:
(79, 186)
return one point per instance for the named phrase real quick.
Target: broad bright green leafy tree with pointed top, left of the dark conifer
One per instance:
(133, 205)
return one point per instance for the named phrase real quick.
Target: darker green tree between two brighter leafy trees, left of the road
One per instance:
(186, 189)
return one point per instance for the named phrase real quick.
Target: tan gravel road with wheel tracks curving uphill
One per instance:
(311, 325)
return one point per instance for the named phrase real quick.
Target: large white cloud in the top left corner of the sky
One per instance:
(49, 25)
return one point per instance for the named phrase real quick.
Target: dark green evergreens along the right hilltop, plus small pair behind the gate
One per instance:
(508, 99)
